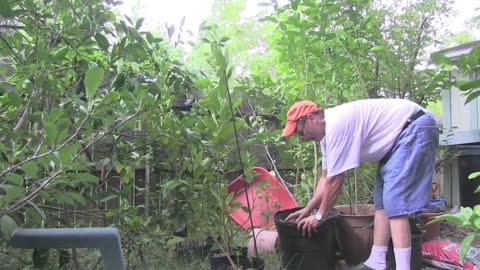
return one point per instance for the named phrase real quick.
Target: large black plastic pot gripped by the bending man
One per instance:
(307, 253)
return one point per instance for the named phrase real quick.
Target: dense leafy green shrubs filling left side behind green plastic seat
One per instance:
(86, 94)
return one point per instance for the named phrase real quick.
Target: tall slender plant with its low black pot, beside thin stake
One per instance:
(217, 132)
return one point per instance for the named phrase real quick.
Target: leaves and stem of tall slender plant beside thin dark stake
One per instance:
(220, 144)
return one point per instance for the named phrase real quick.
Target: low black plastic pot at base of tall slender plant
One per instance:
(220, 262)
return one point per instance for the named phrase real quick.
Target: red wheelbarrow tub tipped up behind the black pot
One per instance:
(266, 195)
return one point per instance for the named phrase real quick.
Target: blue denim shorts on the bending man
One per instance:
(404, 179)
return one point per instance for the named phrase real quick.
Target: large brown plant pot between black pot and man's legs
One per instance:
(355, 232)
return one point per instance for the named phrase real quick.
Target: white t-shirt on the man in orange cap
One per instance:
(362, 131)
